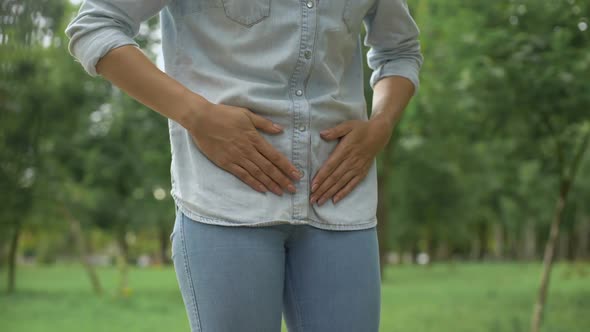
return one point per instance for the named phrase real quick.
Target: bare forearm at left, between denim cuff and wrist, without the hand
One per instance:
(129, 69)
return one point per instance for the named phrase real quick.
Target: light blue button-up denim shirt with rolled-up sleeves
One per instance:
(295, 62)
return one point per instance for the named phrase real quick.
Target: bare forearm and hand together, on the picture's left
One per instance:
(227, 135)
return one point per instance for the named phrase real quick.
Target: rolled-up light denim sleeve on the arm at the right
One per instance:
(392, 38)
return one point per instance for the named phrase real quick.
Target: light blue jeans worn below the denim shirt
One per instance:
(242, 279)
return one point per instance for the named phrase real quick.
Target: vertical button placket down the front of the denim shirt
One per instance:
(301, 116)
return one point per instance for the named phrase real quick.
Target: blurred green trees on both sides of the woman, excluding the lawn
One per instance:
(476, 162)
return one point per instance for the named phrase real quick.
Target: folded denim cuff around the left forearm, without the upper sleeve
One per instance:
(91, 47)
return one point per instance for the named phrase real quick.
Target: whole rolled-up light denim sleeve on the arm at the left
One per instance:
(102, 25)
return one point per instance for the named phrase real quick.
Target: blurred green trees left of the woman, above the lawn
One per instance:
(72, 145)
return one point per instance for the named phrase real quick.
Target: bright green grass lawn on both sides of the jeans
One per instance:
(442, 298)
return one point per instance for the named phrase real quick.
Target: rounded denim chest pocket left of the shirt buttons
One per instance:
(246, 12)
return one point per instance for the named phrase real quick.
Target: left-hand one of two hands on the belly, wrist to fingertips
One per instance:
(228, 136)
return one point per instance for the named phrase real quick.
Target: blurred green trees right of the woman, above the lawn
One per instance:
(503, 107)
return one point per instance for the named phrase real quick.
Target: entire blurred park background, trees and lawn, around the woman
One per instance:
(484, 188)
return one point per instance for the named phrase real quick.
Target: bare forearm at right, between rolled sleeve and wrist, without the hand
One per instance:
(391, 96)
